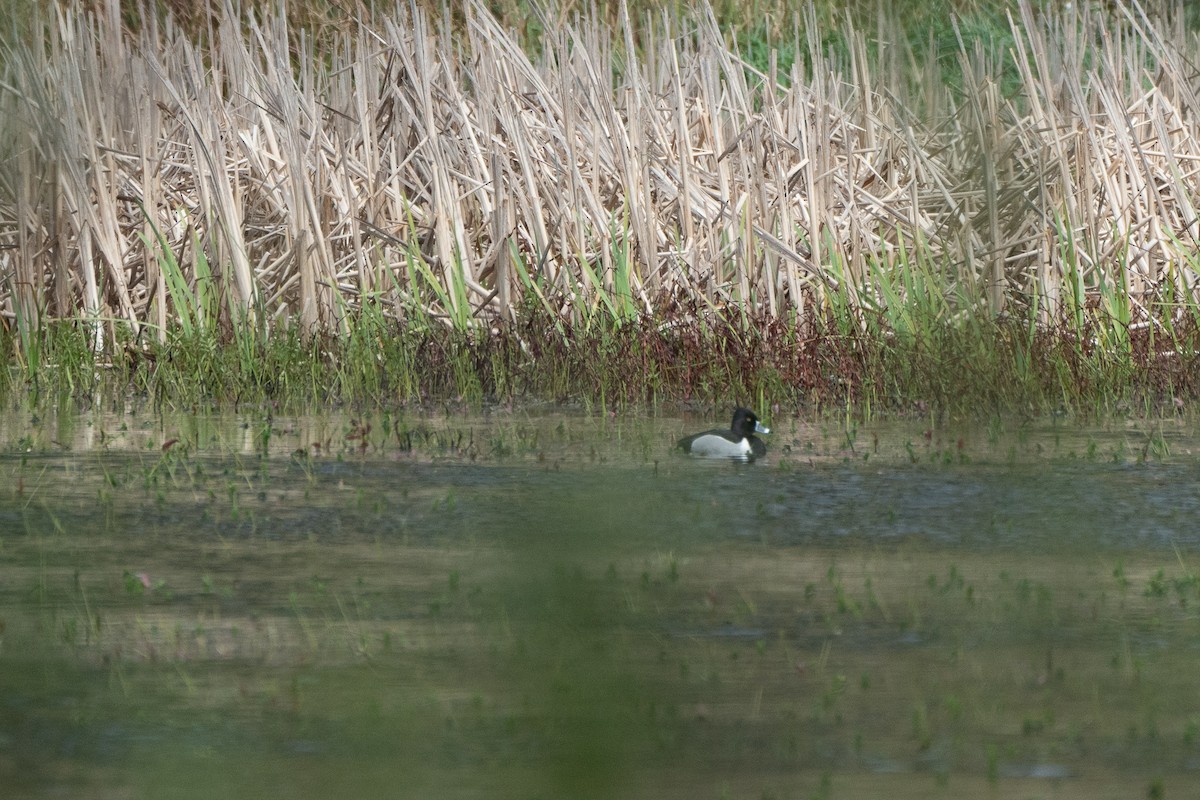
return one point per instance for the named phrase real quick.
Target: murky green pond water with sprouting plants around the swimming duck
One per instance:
(544, 605)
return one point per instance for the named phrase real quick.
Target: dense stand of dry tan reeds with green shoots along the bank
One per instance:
(437, 176)
